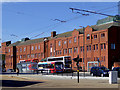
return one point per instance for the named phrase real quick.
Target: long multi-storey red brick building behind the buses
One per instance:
(100, 42)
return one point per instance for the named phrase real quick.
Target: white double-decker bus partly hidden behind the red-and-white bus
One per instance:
(67, 62)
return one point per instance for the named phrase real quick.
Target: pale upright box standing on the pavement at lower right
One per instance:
(113, 77)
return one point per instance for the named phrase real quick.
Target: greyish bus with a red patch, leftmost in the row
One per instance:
(27, 67)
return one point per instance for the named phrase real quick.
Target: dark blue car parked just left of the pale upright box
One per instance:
(99, 71)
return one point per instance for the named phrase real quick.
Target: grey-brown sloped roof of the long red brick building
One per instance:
(66, 34)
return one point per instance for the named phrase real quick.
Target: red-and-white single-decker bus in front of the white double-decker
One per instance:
(51, 67)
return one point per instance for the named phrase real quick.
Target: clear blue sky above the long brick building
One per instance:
(28, 19)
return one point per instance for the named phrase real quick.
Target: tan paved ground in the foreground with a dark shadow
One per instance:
(54, 81)
